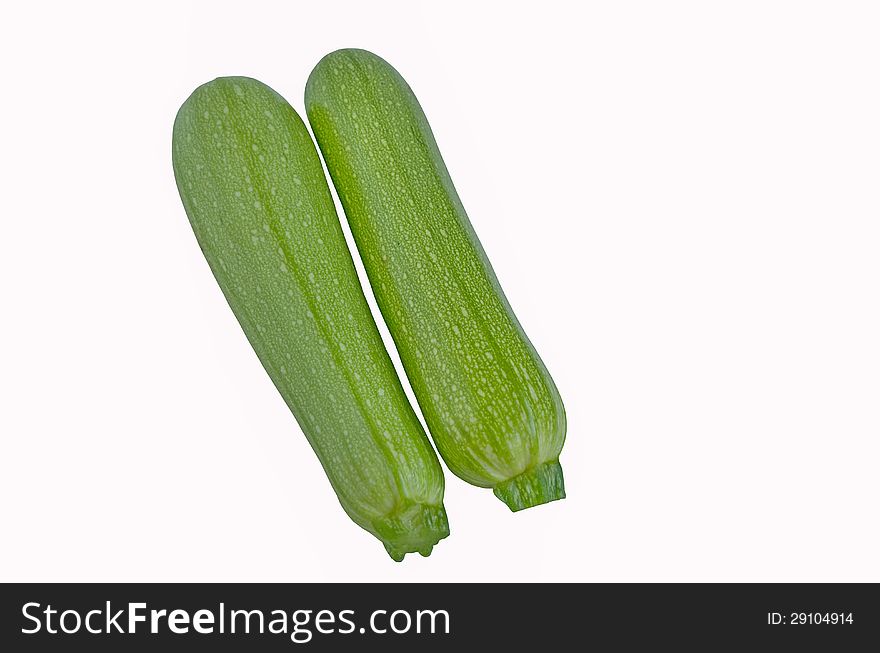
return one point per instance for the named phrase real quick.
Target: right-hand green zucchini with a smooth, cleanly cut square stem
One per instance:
(491, 406)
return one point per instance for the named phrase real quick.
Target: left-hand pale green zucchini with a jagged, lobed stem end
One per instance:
(256, 196)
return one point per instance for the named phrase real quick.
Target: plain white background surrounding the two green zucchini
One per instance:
(681, 202)
